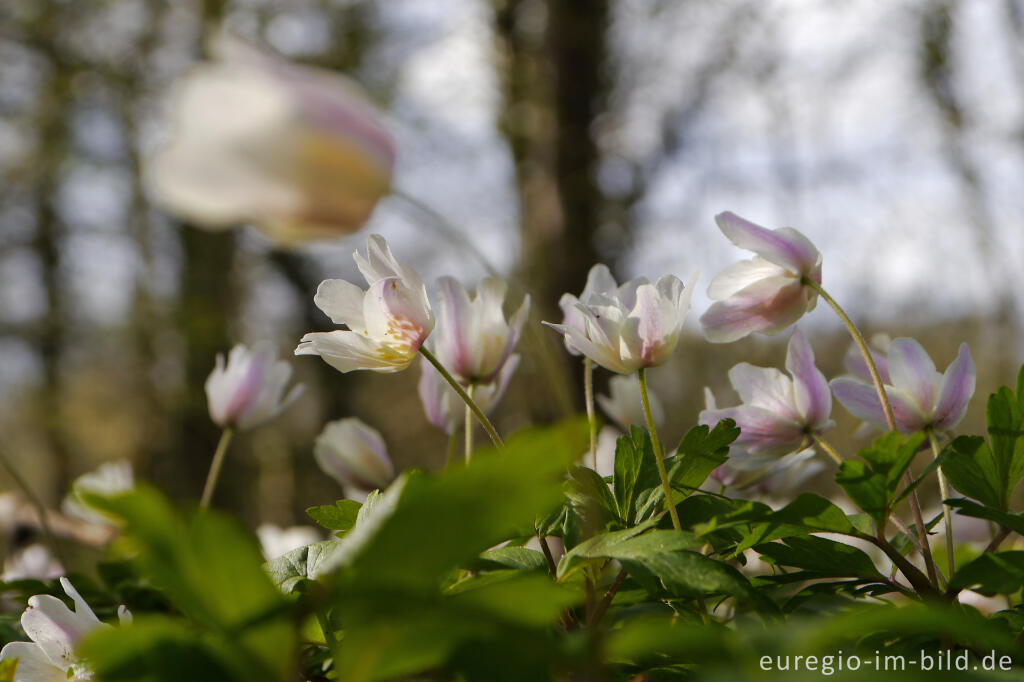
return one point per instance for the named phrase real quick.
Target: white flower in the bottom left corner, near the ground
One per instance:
(55, 631)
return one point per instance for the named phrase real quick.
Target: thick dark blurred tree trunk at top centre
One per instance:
(556, 88)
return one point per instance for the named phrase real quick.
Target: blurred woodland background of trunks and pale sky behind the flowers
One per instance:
(553, 135)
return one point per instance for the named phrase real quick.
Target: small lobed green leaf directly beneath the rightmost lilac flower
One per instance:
(872, 482)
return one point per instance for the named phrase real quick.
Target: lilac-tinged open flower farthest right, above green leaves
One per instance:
(921, 398)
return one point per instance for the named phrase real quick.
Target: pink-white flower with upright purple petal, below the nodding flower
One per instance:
(779, 412)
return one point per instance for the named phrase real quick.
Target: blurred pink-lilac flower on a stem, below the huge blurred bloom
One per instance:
(248, 392)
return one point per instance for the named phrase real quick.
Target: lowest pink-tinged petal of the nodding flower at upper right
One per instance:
(767, 307)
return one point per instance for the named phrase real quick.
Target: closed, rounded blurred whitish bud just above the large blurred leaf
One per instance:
(355, 455)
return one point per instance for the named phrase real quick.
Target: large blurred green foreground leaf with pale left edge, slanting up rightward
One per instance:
(462, 513)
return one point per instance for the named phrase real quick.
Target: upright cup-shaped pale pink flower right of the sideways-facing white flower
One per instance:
(474, 339)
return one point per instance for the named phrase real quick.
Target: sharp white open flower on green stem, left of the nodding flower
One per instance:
(636, 326)
